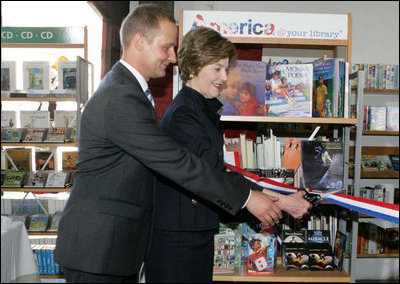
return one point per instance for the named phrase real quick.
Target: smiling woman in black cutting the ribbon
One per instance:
(183, 238)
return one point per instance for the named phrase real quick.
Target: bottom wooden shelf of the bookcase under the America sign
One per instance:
(282, 275)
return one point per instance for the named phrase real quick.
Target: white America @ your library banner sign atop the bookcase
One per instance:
(269, 25)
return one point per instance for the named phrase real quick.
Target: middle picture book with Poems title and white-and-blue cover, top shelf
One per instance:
(289, 90)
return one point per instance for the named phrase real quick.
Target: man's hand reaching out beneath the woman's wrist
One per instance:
(264, 207)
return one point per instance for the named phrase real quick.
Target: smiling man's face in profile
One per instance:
(159, 52)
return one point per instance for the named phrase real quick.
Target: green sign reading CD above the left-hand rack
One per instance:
(44, 35)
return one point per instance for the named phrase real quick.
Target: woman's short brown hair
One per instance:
(201, 47)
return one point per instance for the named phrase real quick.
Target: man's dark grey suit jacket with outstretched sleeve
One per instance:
(107, 222)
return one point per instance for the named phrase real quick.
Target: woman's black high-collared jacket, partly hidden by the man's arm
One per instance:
(193, 122)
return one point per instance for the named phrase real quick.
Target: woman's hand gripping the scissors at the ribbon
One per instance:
(294, 204)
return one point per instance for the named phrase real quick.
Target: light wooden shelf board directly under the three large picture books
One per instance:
(311, 120)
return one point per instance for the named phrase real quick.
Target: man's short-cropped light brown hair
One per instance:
(144, 19)
